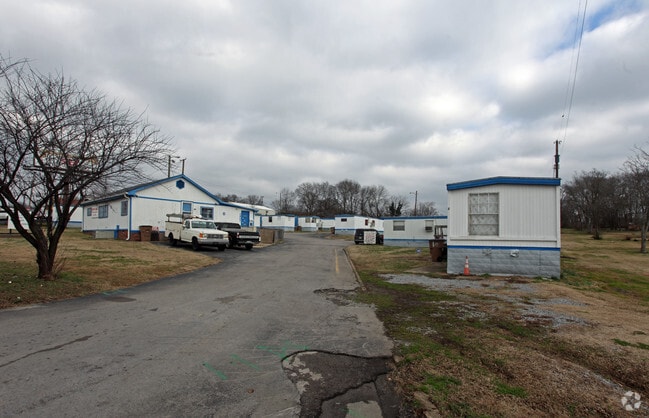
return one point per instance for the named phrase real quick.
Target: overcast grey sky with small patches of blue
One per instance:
(259, 95)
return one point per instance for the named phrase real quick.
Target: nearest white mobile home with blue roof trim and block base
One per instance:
(505, 225)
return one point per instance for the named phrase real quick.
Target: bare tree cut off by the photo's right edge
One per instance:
(636, 179)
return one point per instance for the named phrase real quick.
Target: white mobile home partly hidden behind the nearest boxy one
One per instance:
(413, 231)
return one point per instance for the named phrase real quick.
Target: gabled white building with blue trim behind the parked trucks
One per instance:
(121, 214)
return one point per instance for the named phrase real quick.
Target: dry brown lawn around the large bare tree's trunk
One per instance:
(88, 266)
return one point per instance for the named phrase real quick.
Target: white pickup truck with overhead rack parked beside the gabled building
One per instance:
(197, 231)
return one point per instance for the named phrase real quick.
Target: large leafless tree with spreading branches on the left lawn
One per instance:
(59, 144)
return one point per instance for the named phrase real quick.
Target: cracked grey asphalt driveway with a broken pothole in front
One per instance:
(268, 332)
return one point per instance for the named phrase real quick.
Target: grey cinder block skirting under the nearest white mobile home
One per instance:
(536, 262)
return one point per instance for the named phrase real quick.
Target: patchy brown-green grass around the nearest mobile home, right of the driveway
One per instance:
(475, 351)
